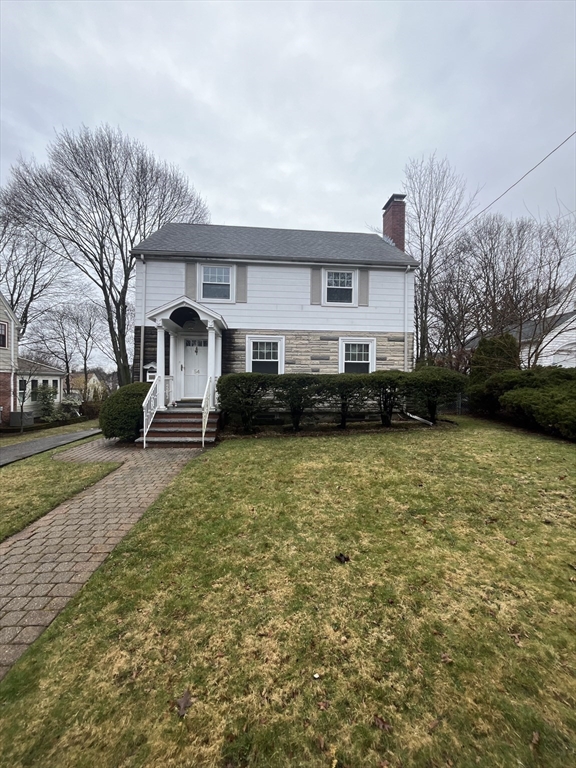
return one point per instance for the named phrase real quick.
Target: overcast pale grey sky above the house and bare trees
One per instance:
(303, 114)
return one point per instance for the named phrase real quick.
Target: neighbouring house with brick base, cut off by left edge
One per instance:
(21, 378)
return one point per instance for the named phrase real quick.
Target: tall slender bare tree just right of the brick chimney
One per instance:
(437, 207)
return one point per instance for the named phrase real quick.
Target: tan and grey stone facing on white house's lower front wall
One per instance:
(314, 351)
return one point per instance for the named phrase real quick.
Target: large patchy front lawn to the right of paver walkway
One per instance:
(446, 640)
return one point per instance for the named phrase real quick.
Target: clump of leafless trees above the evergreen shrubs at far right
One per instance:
(503, 276)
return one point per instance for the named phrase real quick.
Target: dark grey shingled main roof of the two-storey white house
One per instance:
(257, 243)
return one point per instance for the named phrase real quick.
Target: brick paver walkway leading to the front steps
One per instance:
(44, 565)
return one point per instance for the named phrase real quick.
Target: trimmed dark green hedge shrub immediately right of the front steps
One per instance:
(243, 395)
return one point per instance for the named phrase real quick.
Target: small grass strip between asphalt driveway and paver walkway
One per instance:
(32, 487)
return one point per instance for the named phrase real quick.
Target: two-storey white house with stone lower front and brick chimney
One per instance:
(219, 299)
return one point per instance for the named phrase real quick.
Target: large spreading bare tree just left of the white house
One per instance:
(99, 194)
